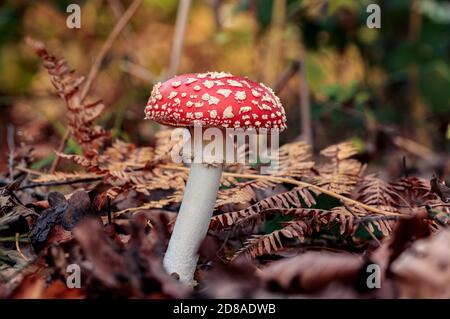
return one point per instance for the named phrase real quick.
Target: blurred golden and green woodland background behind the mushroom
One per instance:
(388, 89)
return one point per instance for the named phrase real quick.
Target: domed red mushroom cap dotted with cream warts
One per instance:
(215, 99)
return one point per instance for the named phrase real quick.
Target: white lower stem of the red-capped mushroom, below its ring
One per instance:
(193, 220)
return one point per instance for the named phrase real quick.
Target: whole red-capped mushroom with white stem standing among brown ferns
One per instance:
(212, 99)
